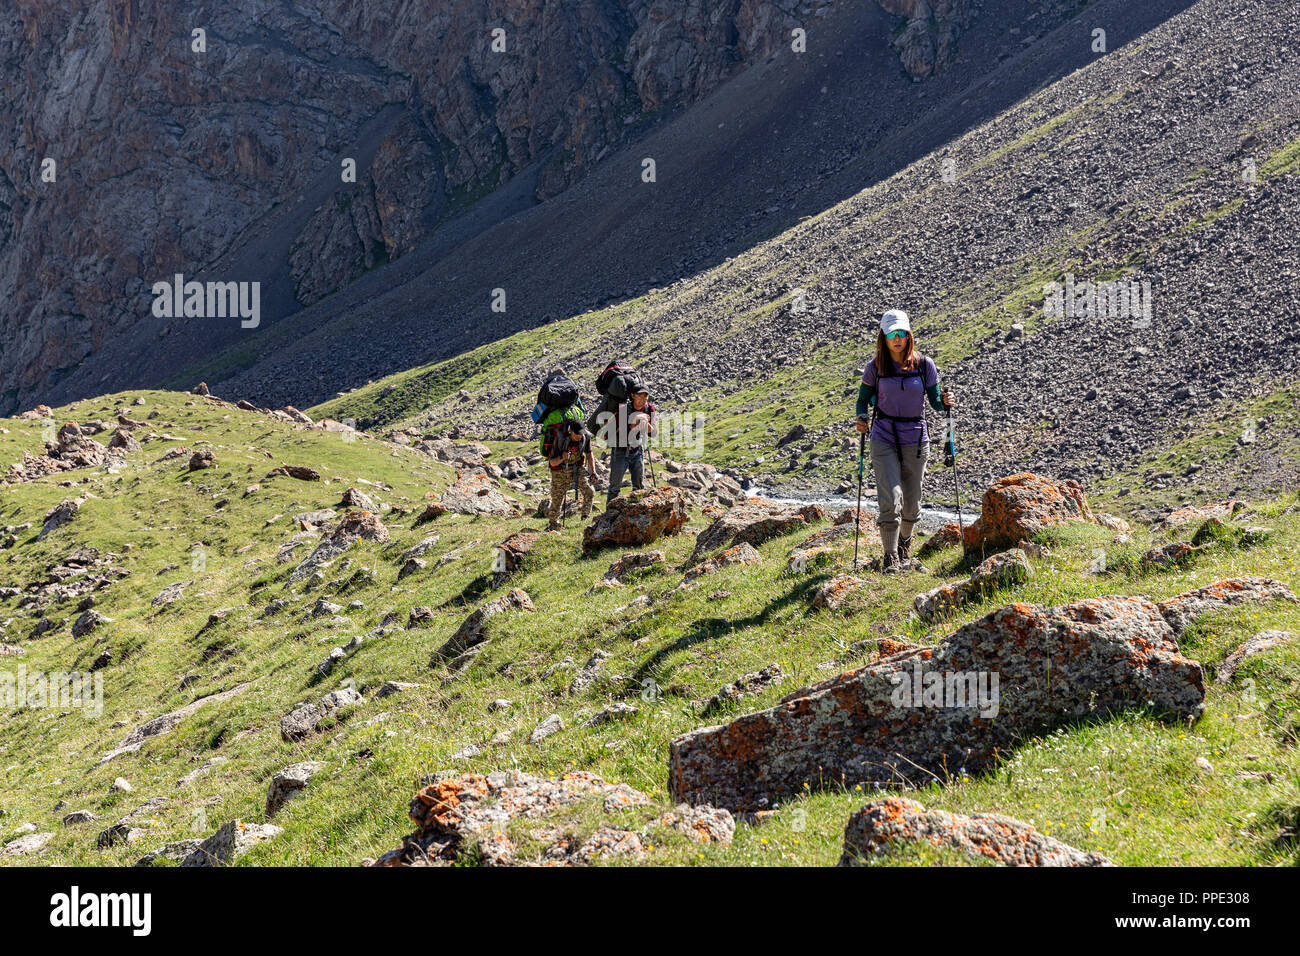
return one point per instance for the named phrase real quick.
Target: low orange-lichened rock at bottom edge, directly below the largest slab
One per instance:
(883, 825)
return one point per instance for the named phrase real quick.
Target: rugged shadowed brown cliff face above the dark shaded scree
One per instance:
(145, 139)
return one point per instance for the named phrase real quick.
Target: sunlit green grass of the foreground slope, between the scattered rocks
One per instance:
(1128, 788)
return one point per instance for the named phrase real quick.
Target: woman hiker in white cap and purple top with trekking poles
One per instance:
(895, 386)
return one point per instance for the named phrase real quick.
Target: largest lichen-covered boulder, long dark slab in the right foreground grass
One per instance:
(933, 712)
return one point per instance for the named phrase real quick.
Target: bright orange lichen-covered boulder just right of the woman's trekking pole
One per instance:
(1020, 507)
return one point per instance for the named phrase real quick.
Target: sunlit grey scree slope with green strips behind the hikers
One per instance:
(1172, 161)
